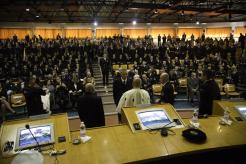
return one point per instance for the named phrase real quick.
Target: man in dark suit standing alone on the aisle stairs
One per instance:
(105, 67)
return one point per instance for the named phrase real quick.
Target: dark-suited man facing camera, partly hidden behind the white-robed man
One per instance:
(120, 86)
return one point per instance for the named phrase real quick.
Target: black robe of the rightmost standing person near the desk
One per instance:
(209, 91)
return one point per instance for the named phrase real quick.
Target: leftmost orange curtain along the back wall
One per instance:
(10, 32)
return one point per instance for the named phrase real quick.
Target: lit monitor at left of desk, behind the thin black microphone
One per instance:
(44, 134)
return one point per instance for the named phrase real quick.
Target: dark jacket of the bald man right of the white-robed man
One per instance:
(167, 93)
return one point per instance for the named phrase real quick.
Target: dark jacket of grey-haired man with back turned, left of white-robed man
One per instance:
(90, 109)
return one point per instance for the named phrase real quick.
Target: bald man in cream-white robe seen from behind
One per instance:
(133, 97)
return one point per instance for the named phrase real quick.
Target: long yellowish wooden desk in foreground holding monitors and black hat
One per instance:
(118, 144)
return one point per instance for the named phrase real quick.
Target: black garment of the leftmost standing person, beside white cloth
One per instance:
(33, 100)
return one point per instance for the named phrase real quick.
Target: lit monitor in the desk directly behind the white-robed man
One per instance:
(153, 118)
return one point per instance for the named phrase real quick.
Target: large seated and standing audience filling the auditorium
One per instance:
(64, 65)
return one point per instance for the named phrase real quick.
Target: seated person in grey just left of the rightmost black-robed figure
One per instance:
(193, 85)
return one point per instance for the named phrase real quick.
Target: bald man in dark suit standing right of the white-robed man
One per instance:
(167, 92)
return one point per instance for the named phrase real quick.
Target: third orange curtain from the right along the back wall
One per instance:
(197, 32)
